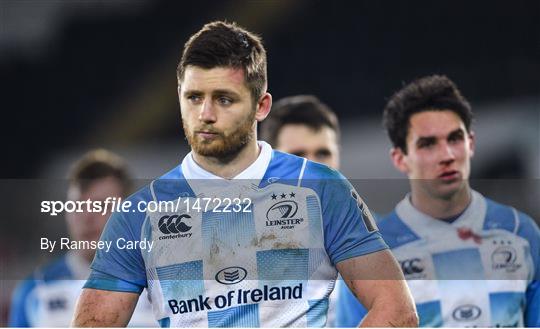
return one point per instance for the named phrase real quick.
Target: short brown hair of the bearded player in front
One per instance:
(222, 44)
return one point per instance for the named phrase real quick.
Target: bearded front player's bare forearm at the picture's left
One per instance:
(103, 308)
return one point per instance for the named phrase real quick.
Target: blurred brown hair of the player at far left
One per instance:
(98, 164)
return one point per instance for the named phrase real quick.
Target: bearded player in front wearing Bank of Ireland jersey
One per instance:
(271, 261)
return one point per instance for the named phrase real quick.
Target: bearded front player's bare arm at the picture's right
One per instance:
(376, 280)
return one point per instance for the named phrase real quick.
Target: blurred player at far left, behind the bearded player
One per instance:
(48, 297)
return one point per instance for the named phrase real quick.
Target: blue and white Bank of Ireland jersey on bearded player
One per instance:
(270, 264)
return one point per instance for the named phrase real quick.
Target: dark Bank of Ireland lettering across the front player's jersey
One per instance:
(235, 297)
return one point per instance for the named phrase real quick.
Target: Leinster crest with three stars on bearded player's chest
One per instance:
(283, 213)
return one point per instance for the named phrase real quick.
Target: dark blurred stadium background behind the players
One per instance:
(83, 74)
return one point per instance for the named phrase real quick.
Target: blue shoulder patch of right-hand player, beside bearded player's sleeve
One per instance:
(394, 230)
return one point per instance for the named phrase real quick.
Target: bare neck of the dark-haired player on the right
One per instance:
(441, 208)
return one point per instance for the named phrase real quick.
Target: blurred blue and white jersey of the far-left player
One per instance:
(48, 297)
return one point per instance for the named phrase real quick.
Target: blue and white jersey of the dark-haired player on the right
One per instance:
(482, 270)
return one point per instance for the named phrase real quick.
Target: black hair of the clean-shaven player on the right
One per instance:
(435, 92)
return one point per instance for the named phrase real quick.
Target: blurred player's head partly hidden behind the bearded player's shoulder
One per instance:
(302, 125)
